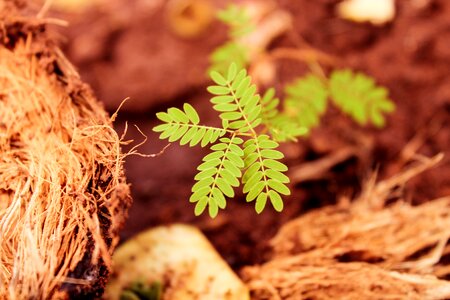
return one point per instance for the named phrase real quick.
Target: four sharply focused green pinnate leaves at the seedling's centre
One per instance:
(241, 111)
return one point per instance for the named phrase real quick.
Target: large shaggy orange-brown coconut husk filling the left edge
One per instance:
(63, 195)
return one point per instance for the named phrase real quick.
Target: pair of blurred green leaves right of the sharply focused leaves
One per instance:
(355, 94)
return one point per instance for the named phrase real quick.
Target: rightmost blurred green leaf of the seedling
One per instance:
(358, 96)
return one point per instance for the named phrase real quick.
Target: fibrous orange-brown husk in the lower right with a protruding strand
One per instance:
(365, 249)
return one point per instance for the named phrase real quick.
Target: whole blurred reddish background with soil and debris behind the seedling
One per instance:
(157, 53)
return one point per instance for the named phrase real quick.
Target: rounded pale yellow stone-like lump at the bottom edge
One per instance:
(182, 259)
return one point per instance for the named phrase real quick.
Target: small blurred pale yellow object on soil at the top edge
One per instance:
(374, 11)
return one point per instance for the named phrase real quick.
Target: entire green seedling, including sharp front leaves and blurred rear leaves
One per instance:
(244, 150)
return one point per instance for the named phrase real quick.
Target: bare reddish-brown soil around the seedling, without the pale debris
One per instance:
(141, 58)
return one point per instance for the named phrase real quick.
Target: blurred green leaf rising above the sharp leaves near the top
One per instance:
(233, 51)
